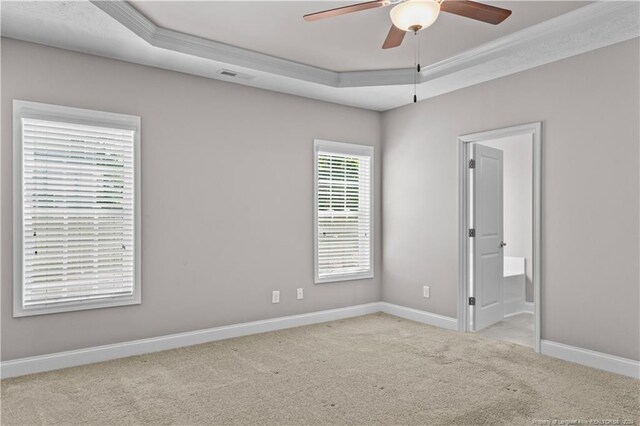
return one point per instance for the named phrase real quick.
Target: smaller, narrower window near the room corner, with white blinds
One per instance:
(343, 211)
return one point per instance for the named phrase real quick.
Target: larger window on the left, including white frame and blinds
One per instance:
(76, 209)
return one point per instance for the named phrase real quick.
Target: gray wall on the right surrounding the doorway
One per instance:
(590, 111)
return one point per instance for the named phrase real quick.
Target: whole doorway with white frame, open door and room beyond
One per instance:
(500, 217)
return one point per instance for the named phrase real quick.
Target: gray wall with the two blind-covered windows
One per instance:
(227, 185)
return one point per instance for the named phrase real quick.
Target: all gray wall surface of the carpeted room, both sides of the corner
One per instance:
(211, 228)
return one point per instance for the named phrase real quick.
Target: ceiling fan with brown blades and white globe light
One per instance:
(416, 15)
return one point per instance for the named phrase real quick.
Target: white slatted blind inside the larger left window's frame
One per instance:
(78, 213)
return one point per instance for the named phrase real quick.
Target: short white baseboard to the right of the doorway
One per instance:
(602, 361)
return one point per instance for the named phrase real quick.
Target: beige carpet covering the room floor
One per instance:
(376, 369)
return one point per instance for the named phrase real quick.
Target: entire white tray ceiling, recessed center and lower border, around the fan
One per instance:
(338, 60)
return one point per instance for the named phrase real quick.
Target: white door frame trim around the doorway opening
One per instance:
(535, 130)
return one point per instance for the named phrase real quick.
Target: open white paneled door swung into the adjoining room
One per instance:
(487, 244)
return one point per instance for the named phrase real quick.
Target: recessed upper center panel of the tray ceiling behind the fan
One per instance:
(346, 43)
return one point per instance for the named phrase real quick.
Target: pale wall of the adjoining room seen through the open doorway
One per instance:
(518, 200)
